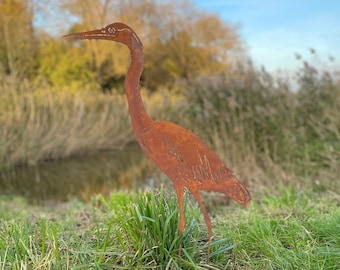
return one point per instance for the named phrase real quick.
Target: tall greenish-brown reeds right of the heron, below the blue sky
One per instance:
(265, 128)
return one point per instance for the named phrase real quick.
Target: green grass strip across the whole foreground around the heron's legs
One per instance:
(292, 230)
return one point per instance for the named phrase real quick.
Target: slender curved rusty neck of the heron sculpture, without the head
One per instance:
(139, 117)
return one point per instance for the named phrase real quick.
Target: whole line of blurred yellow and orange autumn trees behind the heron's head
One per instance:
(179, 40)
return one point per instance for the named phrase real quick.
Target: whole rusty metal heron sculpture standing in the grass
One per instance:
(180, 154)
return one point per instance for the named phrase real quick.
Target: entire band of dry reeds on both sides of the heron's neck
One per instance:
(260, 127)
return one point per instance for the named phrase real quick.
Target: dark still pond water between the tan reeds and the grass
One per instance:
(80, 177)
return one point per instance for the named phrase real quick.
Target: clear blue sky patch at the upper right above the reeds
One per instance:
(273, 31)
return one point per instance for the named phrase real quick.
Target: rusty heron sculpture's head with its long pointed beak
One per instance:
(118, 32)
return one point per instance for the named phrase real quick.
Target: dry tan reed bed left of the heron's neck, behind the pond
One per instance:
(48, 124)
